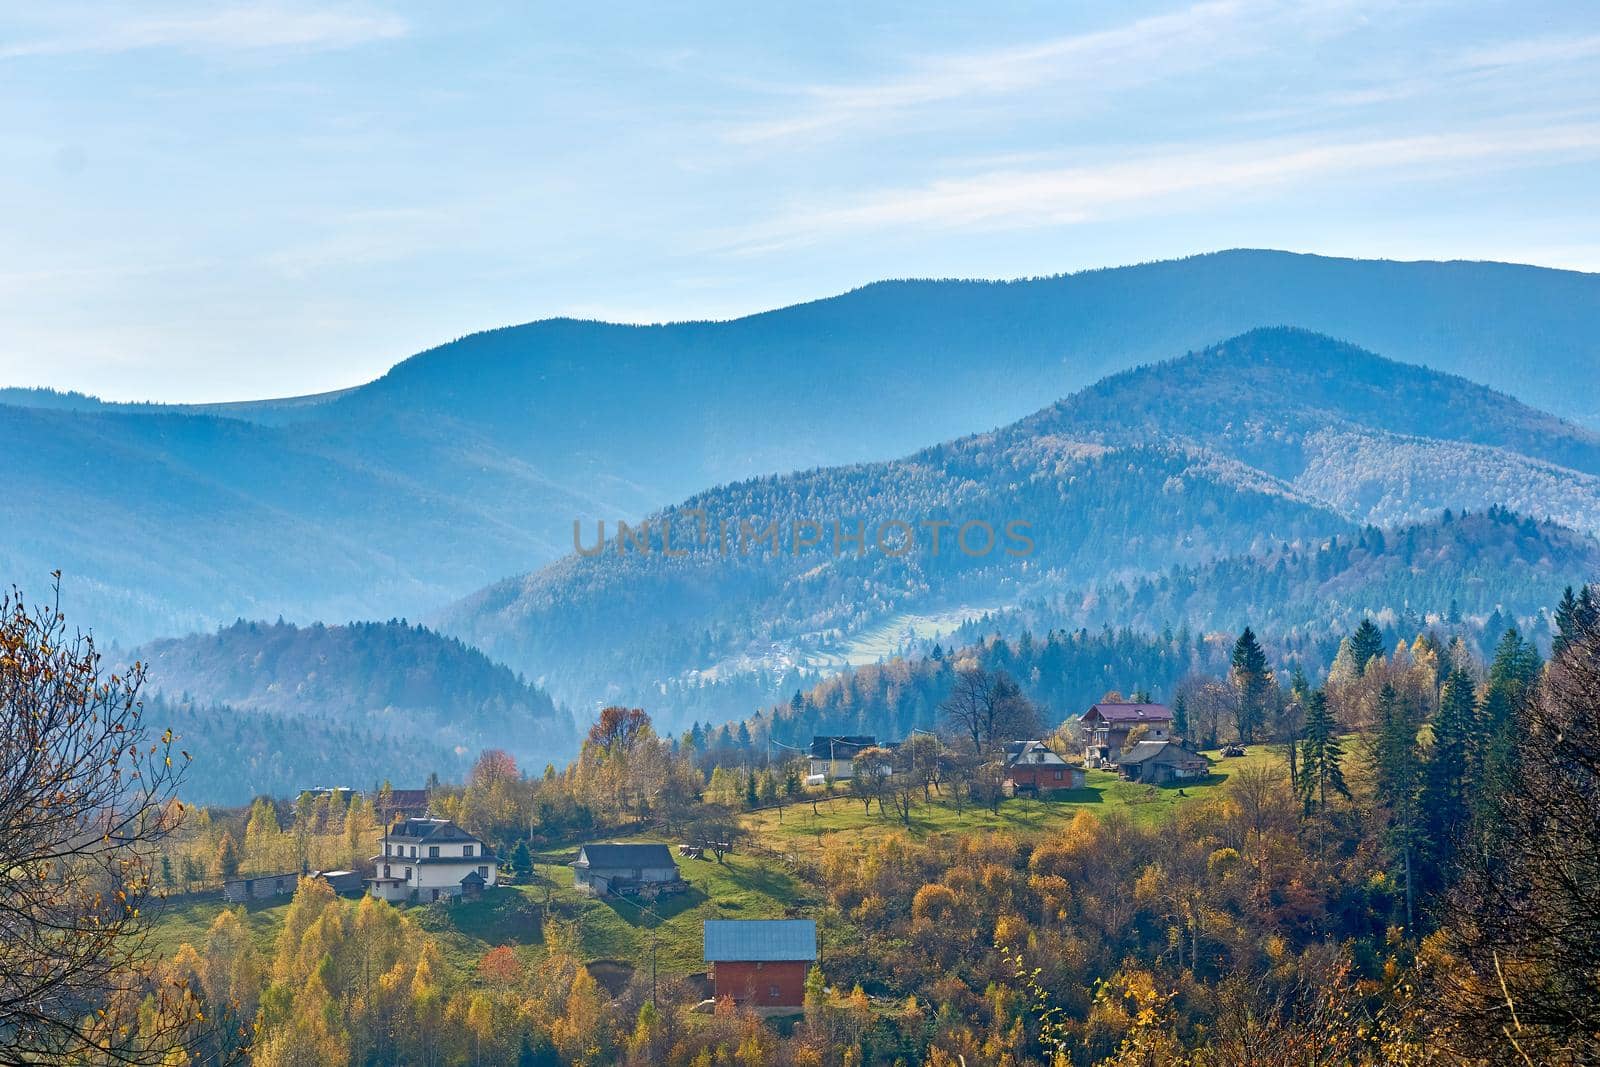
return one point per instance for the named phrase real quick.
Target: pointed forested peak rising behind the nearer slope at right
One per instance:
(1375, 439)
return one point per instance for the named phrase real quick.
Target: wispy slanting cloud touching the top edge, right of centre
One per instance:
(1138, 52)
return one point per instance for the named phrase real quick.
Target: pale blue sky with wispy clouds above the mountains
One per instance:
(238, 201)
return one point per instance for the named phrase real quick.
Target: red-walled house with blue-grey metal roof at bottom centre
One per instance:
(761, 962)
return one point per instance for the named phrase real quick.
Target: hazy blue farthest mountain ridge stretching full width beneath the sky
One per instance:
(471, 462)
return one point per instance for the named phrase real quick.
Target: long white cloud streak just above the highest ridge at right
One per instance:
(1161, 182)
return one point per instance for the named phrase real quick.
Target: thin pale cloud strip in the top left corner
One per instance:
(223, 28)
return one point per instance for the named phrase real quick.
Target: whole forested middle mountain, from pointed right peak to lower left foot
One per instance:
(1182, 465)
